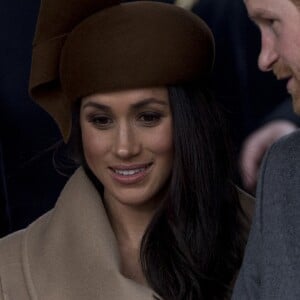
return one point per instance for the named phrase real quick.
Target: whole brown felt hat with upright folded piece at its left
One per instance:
(83, 47)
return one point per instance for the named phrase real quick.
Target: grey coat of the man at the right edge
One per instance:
(271, 267)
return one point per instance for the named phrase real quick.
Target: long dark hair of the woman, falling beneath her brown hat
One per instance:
(193, 247)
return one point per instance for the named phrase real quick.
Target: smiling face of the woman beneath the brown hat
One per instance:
(127, 143)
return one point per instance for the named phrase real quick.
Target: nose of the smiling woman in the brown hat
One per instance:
(126, 144)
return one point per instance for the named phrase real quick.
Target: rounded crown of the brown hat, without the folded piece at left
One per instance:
(135, 45)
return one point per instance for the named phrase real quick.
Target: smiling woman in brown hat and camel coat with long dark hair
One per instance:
(153, 212)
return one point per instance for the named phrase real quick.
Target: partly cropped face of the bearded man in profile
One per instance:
(279, 24)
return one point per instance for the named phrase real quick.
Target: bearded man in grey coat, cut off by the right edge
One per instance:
(271, 267)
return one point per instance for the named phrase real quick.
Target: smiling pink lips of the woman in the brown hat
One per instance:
(130, 174)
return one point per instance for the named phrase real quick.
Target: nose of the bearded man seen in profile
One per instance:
(268, 54)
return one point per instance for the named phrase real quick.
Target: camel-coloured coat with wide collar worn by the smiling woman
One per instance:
(70, 253)
